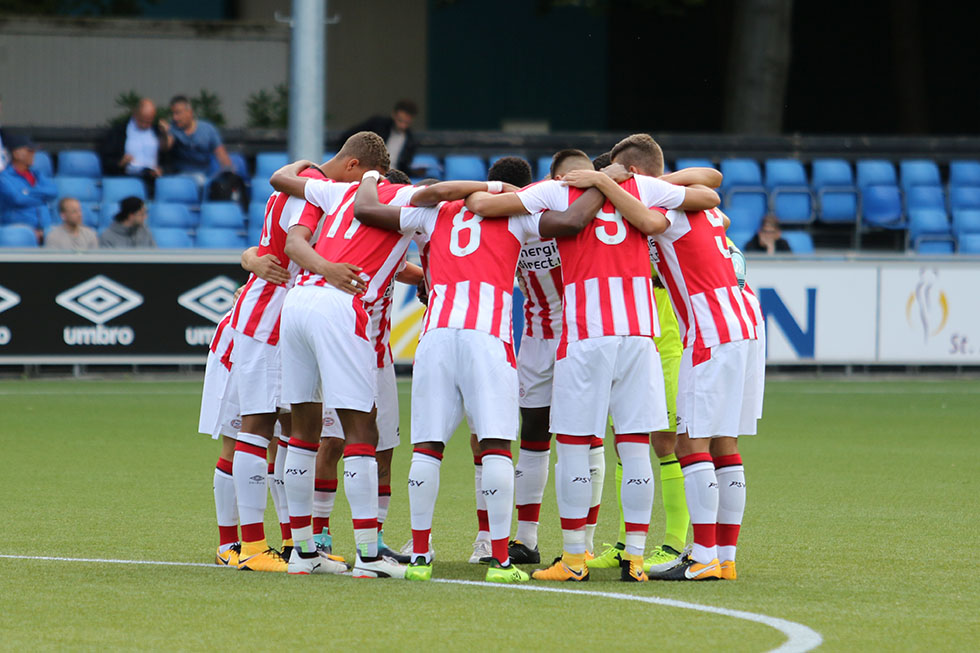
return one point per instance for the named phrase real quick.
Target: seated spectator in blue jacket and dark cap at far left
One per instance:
(24, 191)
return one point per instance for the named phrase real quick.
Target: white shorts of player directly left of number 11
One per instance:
(257, 363)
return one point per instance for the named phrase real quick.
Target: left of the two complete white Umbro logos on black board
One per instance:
(99, 300)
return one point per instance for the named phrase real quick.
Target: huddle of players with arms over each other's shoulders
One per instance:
(636, 314)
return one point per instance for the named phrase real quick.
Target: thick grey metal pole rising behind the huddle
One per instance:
(307, 80)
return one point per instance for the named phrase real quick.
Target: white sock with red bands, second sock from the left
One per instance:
(249, 469)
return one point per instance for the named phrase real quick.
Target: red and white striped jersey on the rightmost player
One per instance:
(694, 263)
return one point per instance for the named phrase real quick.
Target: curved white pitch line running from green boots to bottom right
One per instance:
(799, 637)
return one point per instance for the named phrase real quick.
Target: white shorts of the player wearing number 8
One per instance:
(462, 371)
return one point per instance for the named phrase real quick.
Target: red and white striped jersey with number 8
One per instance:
(469, 265)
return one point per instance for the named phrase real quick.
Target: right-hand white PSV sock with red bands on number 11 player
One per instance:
(361, 488)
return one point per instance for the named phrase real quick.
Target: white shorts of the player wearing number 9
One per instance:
(616, 376)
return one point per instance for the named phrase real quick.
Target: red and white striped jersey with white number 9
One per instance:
(605, 268)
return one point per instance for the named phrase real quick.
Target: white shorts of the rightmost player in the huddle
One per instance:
(713, 398)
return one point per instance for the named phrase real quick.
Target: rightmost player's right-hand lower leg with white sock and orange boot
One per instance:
(731, 500)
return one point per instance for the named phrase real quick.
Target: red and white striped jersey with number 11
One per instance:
(378, 252)
